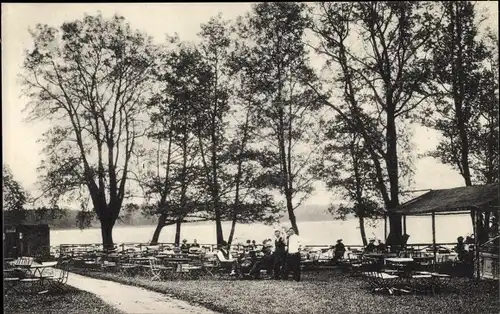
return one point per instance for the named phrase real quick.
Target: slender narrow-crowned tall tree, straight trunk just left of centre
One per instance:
(212, 113)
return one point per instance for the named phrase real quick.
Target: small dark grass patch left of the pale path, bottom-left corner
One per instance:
(71, 301)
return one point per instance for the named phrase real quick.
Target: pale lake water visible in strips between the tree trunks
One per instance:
(448, 228)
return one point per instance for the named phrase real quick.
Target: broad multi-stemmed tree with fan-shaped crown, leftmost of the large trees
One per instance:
(90, 79)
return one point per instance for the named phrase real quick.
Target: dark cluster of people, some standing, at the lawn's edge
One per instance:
(278, 257)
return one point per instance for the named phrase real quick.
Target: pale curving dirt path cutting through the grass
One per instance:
(131, 299)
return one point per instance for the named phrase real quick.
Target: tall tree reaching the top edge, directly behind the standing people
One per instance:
(275, 32)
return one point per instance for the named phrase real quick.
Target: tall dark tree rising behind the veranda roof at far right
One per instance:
(458, 56)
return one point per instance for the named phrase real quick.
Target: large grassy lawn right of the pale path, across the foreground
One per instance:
(319, 292)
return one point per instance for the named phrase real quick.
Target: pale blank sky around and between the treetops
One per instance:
(20, 149)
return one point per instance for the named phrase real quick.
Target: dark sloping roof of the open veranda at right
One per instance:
(482, 197)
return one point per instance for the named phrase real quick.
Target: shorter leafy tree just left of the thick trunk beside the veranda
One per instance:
(346, 167)
